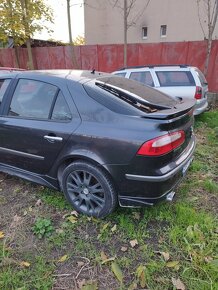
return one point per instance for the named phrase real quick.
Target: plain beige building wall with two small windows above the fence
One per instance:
(148, 21)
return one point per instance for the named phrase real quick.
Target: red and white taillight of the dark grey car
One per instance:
(162, 145)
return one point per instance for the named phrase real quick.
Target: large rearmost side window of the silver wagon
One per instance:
(175, 78)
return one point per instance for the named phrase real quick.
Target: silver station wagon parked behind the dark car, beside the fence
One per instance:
(178, 81)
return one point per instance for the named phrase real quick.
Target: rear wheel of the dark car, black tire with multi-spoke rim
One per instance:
(89, 189)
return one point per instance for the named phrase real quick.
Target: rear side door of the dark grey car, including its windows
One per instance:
(37, 121)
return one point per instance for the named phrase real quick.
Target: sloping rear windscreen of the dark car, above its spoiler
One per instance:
(126, 96)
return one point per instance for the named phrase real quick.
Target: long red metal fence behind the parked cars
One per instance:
(110, 57)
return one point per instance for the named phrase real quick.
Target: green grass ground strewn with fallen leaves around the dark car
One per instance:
(186, 230)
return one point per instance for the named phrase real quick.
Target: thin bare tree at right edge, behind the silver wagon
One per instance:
(208, 8)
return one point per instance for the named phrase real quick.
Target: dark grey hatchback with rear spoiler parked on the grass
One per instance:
(99, 138)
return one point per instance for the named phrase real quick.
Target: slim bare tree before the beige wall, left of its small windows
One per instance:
(129, 20)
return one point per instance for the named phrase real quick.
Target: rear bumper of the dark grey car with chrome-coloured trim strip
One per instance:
(148, 190)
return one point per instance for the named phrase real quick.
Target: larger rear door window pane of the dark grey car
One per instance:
(32, 99)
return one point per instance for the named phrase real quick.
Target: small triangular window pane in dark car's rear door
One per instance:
(61, 110)
